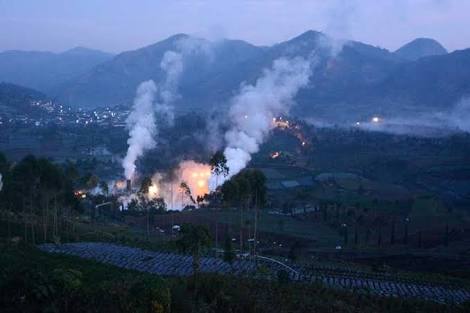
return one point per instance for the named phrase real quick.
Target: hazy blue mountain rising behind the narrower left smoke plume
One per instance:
(209, 68)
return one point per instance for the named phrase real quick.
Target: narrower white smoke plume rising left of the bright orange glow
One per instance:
(141, 125)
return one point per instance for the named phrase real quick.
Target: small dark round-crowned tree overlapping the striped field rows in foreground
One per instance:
(194, 239)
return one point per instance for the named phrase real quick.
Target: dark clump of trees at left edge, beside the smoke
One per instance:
(38, 194)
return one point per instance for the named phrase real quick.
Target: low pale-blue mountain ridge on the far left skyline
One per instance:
(45, 70)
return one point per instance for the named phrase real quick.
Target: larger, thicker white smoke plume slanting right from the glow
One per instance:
(253, 109)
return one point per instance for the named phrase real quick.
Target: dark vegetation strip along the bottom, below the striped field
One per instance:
(32, 281)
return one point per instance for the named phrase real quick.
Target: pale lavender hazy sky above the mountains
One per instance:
(118, 25)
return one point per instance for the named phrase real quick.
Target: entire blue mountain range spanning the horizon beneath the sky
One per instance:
(352, 80)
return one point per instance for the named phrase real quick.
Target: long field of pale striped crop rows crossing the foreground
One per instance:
(170, 264)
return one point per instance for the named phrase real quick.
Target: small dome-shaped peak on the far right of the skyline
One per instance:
(419, 48)
